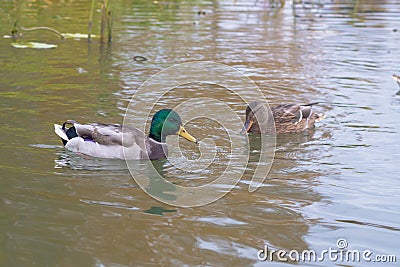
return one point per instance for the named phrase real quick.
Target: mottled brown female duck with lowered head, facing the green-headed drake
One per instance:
(288, 118)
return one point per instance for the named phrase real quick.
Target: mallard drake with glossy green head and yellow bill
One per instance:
(112, 140)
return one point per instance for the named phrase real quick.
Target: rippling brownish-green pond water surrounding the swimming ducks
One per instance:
(338, 181)
